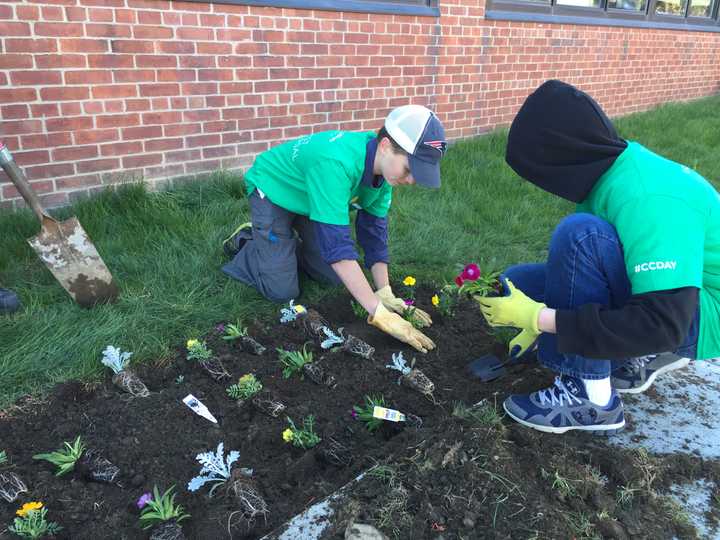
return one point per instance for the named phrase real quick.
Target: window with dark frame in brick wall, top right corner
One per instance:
(679, 14)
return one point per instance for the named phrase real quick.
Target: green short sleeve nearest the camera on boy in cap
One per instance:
(328, 190)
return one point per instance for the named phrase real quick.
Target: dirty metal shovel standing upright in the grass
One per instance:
(64, 247)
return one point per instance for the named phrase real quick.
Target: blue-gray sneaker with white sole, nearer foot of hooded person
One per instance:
(565, 406)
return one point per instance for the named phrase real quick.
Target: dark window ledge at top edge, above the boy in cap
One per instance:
(400, 7)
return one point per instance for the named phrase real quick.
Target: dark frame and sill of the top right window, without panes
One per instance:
(551, 12)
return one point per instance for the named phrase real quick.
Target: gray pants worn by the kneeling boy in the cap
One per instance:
(270, 258)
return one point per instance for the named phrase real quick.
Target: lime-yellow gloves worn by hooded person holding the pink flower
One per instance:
(515, 309)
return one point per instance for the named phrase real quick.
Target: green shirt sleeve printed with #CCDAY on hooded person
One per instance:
(663, 240)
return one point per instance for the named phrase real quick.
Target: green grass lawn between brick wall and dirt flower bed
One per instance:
(164, 249)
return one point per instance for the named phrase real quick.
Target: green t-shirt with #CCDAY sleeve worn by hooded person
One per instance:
(668, 219)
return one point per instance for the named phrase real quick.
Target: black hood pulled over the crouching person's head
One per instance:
(562, 141)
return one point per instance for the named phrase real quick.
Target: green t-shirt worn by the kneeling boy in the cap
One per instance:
(319, 176)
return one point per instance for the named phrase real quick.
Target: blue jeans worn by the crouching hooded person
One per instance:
(585, 265)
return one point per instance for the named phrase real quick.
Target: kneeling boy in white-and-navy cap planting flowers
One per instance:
(308, 185)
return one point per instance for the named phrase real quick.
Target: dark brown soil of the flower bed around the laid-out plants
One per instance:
(461, 474)
